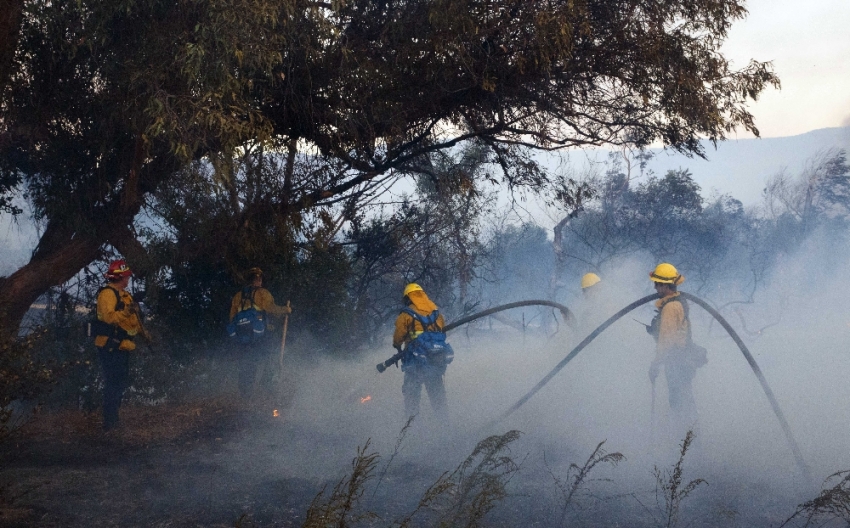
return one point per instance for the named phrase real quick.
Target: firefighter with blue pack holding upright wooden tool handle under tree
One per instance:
(258, 351)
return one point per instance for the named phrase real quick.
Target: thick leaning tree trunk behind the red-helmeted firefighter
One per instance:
(60, 254)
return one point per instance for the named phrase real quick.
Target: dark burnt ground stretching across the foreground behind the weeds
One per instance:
(217, 462)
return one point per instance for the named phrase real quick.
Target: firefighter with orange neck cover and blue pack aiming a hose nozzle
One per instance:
(419, 369)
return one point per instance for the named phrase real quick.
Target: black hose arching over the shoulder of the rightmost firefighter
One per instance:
(798, 457)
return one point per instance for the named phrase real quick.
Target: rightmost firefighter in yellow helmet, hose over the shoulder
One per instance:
(671, 329)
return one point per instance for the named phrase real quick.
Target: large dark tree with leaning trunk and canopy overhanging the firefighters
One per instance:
(109, 99)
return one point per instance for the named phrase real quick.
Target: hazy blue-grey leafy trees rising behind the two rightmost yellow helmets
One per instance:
(665, 218)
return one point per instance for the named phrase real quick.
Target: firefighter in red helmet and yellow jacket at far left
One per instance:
(118, 323)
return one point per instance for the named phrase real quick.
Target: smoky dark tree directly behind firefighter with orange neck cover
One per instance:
(432, 237)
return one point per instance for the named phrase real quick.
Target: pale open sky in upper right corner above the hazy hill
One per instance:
(809, 44)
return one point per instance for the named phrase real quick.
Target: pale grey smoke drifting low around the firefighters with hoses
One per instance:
(797, 328)
